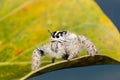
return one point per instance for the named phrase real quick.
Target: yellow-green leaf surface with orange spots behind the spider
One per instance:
(24, 25)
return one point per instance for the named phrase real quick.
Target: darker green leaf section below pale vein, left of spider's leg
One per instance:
(13, 70)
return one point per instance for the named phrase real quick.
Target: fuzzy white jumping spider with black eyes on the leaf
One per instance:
(63, 44)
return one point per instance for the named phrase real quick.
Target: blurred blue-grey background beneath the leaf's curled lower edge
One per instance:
(101, 72)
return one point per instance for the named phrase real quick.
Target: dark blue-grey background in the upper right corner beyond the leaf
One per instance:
(112, 9)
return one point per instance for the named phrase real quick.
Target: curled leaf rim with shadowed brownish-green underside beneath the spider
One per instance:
(77, 62)
